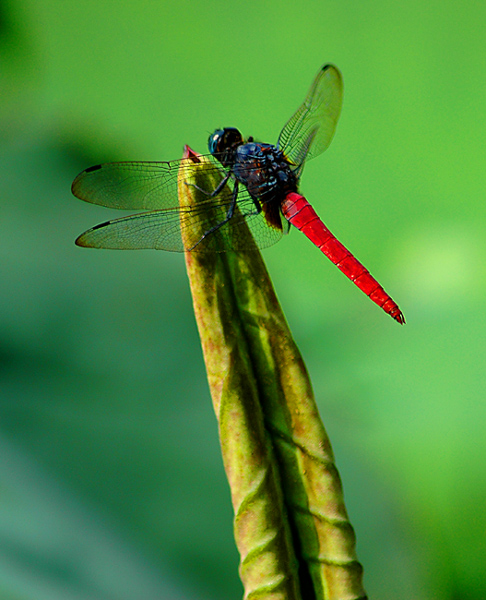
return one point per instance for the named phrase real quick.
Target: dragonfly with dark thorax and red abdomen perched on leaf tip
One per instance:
(263, 180)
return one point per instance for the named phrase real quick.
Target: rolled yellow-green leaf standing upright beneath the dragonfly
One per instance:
(291, 525)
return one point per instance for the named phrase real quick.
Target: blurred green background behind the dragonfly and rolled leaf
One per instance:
(111, 478)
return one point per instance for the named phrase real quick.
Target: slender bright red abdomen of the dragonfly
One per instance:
(300, 213)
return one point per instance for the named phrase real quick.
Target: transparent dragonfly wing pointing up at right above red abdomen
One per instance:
(311, 128)
